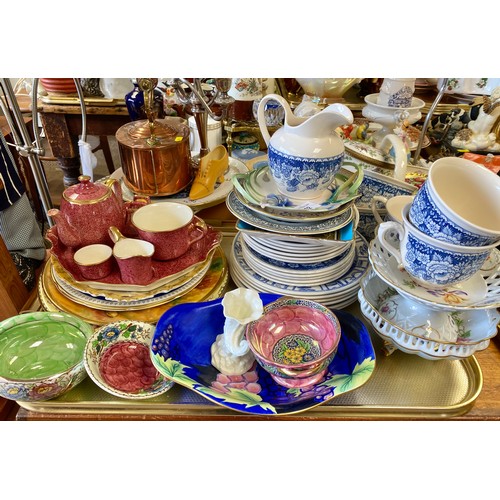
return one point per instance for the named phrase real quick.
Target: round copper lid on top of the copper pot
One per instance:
(162, 133)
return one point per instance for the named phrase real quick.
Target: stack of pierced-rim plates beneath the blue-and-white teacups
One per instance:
(452, 323)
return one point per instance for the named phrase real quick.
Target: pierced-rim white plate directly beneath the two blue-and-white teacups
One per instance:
(479, 291)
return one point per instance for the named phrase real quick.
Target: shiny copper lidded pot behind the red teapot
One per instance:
(155, 156)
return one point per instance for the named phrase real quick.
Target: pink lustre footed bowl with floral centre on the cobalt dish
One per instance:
(295, 340)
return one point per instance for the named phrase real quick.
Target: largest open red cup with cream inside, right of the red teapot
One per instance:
(171, 227)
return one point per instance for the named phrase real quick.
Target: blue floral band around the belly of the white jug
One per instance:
(298, 174)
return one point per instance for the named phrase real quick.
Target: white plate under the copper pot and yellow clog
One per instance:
(219, 194)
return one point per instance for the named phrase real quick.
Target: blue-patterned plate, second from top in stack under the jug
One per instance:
(239, 210)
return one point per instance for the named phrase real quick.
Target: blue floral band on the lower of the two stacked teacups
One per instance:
(436, 265)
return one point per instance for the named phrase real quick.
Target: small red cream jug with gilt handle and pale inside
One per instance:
(134, 258)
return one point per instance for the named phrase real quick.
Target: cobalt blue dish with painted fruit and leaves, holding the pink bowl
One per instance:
(180, 351)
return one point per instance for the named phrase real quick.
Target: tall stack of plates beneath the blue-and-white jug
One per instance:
(295, 248)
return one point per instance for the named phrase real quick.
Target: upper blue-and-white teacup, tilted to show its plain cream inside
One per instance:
(459, 203)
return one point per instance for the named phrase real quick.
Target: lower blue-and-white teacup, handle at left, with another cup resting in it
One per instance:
(432, 263)
